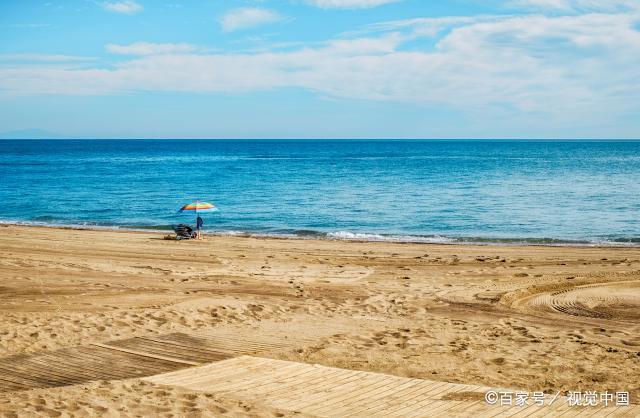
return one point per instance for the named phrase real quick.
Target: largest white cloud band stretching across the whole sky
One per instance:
(568, 68)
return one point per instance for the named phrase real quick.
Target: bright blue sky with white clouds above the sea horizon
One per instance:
(320, 68)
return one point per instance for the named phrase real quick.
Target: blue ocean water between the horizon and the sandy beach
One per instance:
(430, 191)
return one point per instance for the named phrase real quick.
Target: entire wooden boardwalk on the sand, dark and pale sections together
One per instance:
(231, 366)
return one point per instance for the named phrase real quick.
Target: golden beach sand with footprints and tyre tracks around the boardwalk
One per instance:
(524, 317)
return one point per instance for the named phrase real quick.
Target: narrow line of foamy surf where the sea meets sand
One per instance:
(344, 236)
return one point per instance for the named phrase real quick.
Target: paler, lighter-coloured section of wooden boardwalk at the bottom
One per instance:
(331, 392)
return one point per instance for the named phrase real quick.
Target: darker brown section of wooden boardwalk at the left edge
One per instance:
(133, 357)
